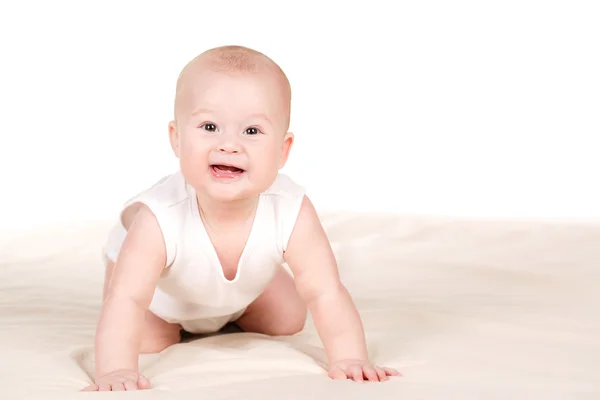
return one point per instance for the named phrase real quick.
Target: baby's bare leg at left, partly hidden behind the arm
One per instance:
(157, 334)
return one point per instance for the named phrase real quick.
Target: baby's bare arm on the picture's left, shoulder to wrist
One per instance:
(141, 260)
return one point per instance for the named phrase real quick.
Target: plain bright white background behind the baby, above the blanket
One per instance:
(468, 109)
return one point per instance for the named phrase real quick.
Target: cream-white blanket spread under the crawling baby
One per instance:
(465, 310)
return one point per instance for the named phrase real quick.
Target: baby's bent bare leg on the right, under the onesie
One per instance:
(279, 310)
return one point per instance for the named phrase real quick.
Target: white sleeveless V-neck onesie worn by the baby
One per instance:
(192, 289)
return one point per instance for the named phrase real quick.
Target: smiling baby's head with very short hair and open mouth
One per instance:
(230, 128)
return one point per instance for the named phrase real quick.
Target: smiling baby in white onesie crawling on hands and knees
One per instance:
(207, 245)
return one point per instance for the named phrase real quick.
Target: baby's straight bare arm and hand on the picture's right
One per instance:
(336, 319)
